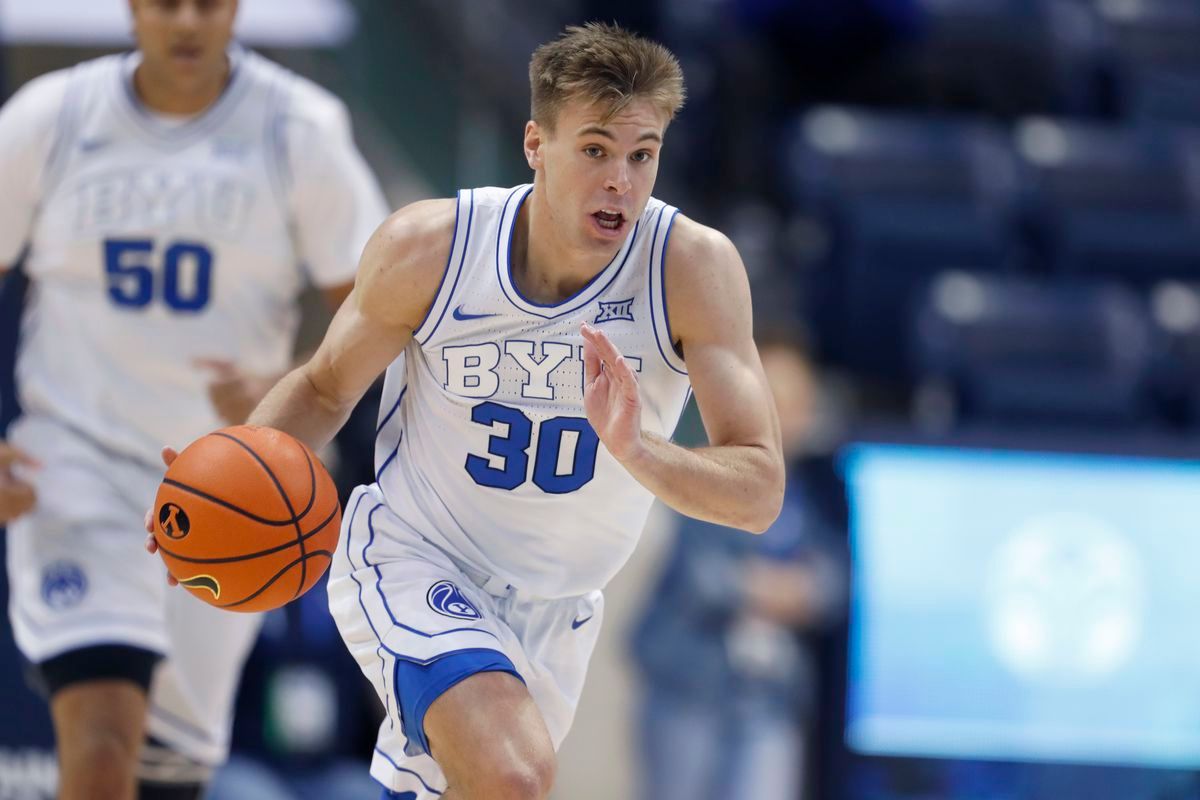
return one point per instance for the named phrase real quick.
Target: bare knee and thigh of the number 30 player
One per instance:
(490, 741)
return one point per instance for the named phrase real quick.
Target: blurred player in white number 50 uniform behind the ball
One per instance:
(167, 199)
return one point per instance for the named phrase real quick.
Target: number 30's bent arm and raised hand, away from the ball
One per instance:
(737, 480)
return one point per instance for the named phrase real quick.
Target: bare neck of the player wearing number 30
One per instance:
(545, 268)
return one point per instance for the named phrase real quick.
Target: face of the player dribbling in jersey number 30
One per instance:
(599, 173)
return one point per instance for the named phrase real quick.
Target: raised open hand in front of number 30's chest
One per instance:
(610, 395)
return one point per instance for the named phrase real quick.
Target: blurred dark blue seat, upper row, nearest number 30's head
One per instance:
(903, 199)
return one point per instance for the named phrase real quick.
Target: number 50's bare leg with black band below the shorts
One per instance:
(99, 706)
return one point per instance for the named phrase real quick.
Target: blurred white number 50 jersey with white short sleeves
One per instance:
(155, 243)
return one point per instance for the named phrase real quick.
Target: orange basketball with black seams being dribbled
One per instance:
(247, 519)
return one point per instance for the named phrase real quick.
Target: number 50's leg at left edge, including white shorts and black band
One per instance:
(81, 585)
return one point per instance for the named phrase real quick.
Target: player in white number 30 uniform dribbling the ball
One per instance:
(539, 346)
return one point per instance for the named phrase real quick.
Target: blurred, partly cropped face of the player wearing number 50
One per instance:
(184, 41)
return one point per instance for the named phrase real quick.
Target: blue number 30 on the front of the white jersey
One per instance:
(549, 473)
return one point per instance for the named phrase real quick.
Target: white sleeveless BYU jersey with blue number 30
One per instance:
(484, 444)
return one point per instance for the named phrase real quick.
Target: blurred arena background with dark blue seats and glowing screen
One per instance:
(983, 218)
